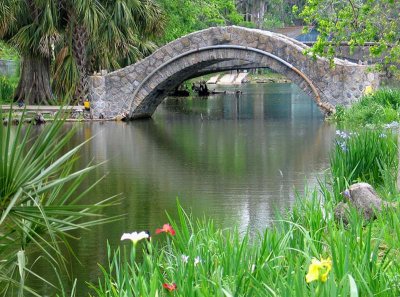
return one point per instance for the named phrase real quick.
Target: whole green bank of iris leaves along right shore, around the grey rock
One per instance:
(305, 251)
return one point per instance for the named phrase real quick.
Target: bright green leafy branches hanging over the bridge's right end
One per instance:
(356, 22)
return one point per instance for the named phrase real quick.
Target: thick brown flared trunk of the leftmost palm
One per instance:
(34, 84)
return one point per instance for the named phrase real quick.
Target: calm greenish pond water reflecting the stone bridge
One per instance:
(235, 158)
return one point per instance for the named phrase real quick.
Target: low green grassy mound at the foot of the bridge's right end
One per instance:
(377, 109)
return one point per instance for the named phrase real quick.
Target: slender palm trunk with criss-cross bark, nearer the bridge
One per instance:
(79, 39)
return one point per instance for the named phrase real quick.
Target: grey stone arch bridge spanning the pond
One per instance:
(136, 90)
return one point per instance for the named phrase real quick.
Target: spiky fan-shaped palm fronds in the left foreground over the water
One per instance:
(39, 202)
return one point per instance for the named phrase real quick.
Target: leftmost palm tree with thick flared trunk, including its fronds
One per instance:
(31, 26)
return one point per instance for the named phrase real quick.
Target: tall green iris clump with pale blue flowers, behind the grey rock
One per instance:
(369, 156)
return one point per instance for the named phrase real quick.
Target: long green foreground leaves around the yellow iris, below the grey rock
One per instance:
(273, 263)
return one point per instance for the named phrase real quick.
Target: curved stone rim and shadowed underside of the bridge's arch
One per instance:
(165, 78)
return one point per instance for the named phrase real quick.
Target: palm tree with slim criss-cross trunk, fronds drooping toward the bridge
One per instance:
(112, 35)
